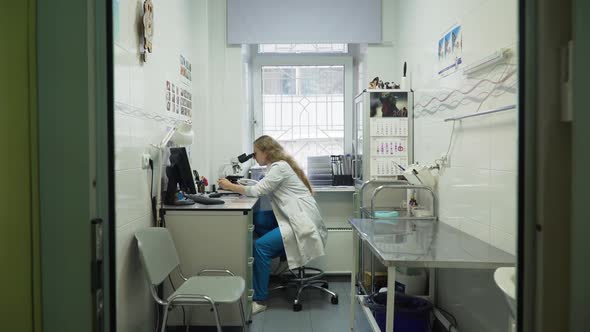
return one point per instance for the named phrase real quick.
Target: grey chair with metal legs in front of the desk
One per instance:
(159, 258)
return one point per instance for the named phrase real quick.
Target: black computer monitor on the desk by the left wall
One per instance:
(179, 175)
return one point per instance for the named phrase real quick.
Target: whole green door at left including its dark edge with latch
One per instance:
(75, 164)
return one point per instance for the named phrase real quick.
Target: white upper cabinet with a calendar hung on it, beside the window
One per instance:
(382, 141)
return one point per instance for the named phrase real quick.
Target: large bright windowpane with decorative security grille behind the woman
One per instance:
(303, 109)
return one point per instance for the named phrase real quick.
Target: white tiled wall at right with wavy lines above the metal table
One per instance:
(478, 191)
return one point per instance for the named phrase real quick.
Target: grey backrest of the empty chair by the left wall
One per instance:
(157, 253)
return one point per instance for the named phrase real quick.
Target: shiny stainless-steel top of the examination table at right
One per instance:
(428, 244)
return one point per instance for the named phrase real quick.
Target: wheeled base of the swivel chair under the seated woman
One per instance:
(302, 278)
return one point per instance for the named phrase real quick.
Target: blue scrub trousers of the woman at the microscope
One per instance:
(269, 245)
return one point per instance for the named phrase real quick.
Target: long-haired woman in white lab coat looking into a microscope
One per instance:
(301, 233)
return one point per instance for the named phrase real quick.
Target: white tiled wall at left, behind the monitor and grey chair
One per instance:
(141, 119)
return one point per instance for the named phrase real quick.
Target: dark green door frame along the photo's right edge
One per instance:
(547, 225)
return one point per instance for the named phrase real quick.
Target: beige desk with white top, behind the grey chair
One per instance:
(215, 237)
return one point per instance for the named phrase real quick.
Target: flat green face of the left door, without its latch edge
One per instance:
(65, 99)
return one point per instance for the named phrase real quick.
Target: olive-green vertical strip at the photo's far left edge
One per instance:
(19, 224)
